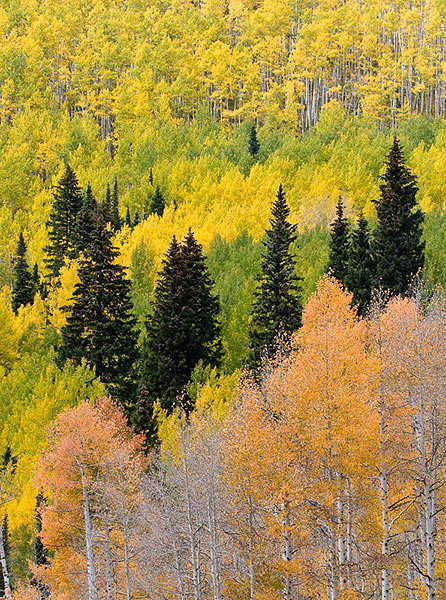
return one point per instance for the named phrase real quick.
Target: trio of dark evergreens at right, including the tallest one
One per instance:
(393, 254)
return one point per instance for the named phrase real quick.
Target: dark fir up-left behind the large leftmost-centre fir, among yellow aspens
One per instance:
(61, 224)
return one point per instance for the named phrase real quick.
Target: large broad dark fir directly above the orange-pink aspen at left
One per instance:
(100, 327)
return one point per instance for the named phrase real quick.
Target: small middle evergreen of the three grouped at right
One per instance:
(360, 275)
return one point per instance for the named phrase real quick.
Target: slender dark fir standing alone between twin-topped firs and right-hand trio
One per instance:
(277, 308)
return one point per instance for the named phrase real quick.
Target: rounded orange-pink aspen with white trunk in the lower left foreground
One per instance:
(82, 463)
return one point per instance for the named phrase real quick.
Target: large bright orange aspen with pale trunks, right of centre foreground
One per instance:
(325, 414)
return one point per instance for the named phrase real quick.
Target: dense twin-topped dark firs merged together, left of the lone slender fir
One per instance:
(183, 327)
